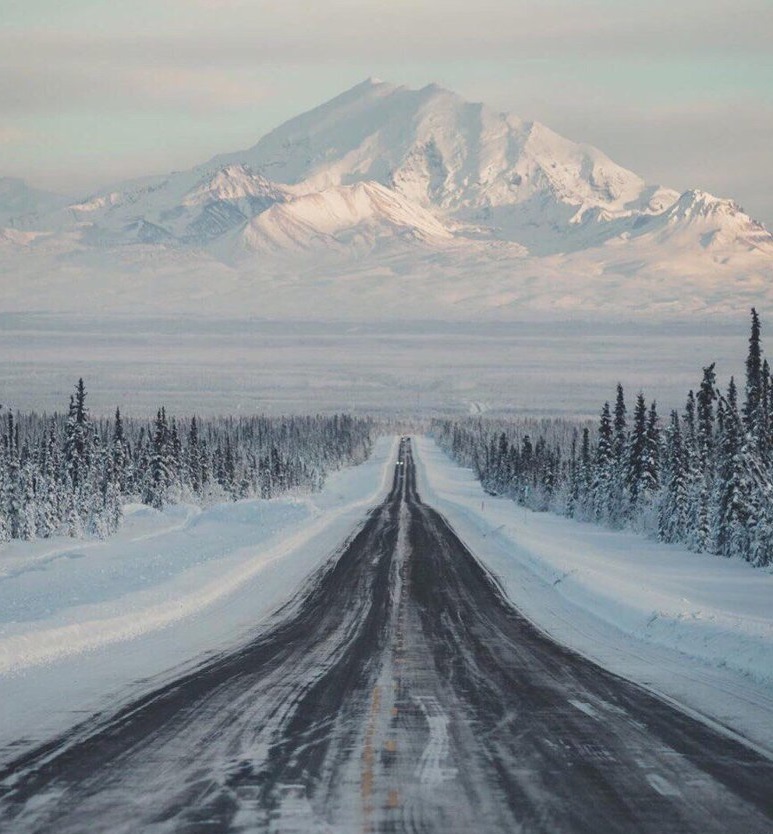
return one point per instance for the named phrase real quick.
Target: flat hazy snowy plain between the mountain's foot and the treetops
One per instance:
(212, 366)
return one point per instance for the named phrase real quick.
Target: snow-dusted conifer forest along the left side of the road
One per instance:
(72, 473)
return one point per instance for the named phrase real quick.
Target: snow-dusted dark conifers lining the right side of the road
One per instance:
(702, 477)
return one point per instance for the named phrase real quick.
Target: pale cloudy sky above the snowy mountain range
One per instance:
(93, 91)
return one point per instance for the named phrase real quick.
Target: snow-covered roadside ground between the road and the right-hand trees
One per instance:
(695, 628)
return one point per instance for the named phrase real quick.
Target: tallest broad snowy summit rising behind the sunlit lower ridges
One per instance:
(440, 151)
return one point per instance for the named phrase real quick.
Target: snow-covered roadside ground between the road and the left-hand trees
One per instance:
(86, 623)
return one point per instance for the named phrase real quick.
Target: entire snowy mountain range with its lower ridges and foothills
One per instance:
(390, 185)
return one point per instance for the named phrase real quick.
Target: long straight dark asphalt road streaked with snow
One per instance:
(399, 691)
